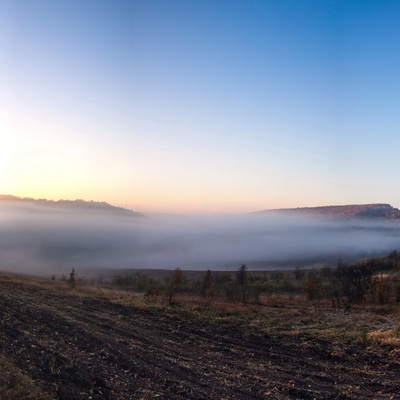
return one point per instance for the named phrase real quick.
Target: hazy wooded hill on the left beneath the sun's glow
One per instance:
(71, 205)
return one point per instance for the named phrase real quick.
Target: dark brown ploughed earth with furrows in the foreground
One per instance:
(89, 346)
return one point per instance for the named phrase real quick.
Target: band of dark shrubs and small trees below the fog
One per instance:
(376, 280)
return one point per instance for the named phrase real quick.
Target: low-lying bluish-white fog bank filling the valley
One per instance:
(39, 240)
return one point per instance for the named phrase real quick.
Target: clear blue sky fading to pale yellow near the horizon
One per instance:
(180, 106)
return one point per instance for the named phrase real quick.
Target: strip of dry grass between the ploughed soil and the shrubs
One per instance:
(294, 315)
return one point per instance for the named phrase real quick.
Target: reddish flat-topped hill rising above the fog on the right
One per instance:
(343, 212)
